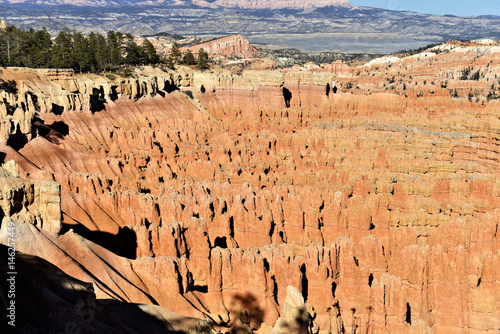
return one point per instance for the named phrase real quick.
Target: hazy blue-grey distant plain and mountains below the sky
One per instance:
(323, 25)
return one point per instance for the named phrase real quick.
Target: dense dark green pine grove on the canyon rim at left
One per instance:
(92, 53)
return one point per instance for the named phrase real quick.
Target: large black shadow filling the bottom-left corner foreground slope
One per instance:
(71, 305)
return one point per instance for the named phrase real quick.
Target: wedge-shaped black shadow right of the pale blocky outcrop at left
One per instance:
(122, 244)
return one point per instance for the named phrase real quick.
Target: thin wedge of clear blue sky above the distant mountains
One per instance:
(454, 7)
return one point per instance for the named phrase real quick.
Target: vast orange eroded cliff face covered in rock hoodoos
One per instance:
(379, 207)
